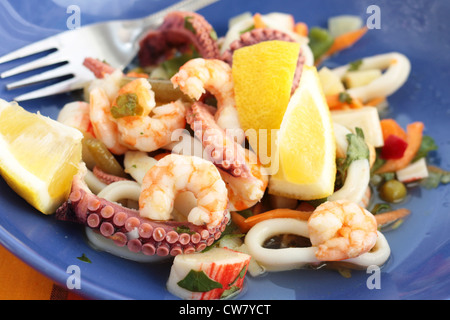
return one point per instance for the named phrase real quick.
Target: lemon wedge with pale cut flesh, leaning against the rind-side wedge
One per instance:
(306, 145)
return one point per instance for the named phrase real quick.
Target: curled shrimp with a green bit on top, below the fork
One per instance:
(132, 121)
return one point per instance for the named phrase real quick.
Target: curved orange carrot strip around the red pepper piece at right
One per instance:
(414, 133)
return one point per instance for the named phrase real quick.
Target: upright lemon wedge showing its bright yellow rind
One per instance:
(262, 76)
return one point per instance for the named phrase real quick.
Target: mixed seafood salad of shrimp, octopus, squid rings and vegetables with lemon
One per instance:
(242, 154)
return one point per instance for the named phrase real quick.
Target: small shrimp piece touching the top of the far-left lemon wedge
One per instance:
(76, 114)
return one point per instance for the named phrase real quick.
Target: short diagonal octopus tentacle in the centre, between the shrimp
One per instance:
(222, 150)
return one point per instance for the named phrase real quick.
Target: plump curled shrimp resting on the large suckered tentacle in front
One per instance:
(175, 174)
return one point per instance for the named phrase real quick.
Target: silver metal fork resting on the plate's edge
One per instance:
(115, 42)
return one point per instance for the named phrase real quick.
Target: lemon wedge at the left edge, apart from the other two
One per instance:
(39, 156)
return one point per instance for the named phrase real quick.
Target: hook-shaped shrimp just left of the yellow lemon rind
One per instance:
(199, 75)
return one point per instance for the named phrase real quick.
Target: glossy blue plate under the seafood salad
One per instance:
(419, 267)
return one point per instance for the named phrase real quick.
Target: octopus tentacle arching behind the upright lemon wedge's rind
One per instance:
(264, 34)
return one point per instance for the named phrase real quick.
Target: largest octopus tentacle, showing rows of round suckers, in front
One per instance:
(127, 228)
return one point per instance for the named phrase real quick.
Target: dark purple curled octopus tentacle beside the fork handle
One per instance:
(178, 31)
